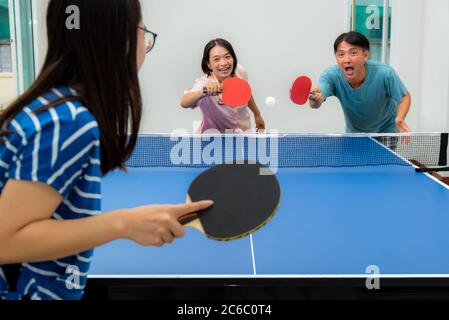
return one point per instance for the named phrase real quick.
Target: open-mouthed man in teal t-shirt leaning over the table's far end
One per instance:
(373, 97)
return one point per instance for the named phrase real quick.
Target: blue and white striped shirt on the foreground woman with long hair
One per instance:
(61, 148)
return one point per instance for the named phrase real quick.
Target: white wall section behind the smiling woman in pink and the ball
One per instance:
(276, 41)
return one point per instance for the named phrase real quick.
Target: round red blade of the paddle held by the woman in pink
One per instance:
(235, 92)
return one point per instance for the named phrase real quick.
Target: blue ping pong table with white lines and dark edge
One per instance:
(337, 226)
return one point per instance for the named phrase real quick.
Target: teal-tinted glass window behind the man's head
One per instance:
(367, 17)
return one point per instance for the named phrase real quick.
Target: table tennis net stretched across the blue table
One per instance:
(290, 150)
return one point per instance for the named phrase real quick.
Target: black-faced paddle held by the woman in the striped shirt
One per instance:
(245, 198)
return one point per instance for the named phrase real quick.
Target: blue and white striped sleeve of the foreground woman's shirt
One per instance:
(55, 155)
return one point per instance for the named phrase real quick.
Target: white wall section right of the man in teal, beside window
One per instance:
(420, 54)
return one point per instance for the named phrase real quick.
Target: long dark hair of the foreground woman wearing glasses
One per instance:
(99, 60)
